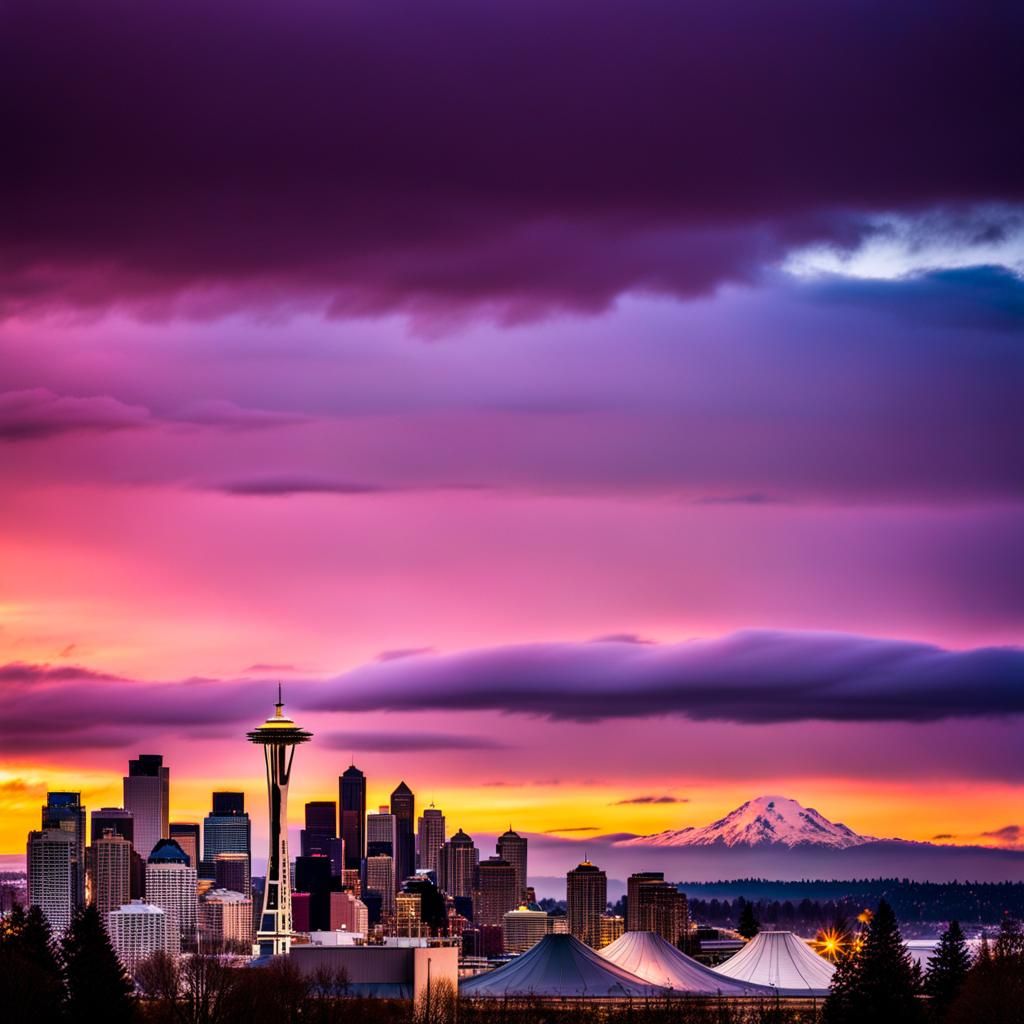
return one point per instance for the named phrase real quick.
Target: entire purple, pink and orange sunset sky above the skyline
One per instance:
(595, 415)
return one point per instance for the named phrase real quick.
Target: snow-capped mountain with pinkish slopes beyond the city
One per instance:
(764, 822)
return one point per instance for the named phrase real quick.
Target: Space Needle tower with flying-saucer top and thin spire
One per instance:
(279, 737)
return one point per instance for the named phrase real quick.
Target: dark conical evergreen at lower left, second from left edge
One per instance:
(99, 989)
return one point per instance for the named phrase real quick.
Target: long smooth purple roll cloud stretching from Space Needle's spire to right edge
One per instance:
(751, 676)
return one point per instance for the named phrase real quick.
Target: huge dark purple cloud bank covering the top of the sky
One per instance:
(520, 155)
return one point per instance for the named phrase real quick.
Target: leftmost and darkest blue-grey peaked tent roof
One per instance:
(560, 966)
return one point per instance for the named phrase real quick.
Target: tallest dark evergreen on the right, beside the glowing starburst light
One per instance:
(879, 983)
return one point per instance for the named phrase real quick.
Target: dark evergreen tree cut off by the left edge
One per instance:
(31, 987)
